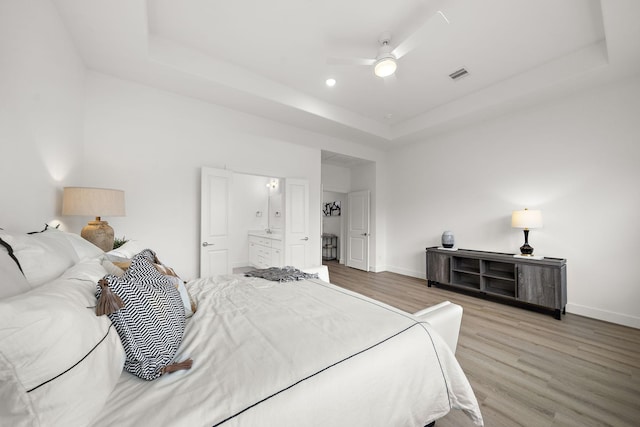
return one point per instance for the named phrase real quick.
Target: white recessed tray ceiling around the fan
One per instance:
(271, 58)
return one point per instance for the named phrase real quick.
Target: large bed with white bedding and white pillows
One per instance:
(265, 353)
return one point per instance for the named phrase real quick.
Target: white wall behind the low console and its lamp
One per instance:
(578, 160)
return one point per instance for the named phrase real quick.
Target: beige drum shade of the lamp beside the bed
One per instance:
(87, 201)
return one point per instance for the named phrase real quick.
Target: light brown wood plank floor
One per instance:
(526, 368)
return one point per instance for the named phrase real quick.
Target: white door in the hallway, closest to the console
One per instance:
(358, 233)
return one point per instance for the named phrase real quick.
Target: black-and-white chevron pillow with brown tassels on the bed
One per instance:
(151, 323)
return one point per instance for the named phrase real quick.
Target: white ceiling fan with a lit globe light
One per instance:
(386, 61)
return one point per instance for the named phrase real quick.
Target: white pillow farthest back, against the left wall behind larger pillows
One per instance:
(43, 256)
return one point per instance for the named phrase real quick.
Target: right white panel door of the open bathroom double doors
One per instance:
(296, 222)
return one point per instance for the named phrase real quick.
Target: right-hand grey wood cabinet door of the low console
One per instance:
(539, 285)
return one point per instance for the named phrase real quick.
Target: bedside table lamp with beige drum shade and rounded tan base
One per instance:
(86, 201)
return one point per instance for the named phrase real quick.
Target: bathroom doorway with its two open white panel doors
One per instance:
(234, 204)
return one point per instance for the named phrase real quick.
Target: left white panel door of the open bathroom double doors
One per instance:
(214, 222)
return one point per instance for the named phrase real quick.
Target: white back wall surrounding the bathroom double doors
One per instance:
(152, 144)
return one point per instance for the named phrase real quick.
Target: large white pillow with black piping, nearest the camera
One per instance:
(58, 360)
